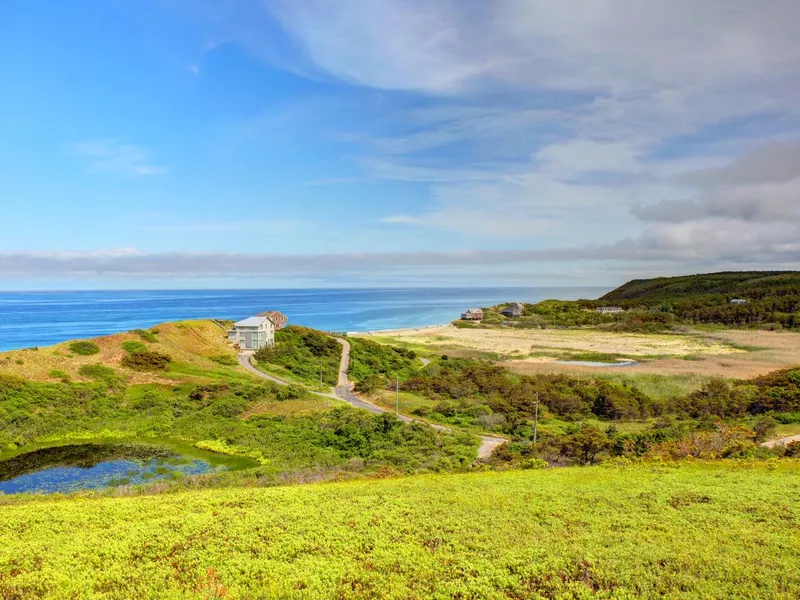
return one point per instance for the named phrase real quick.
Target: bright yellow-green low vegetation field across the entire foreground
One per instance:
(718, 530)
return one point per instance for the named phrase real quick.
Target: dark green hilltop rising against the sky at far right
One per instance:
(746, 284)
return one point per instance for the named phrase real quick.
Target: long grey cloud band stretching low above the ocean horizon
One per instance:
(710, 245)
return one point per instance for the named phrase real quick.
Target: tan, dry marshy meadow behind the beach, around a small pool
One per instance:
(686, 358)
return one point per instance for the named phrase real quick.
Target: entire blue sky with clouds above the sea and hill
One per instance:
(343, 143)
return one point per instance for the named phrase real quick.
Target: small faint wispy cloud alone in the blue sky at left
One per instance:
(112, 157)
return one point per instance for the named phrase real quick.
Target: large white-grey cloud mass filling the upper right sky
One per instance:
(629, 126)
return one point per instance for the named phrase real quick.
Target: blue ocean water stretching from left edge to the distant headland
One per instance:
(42, 318)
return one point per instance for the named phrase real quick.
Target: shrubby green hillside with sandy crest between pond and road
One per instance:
(186, 387)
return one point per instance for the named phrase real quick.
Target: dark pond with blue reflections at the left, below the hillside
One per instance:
(98, 465)
